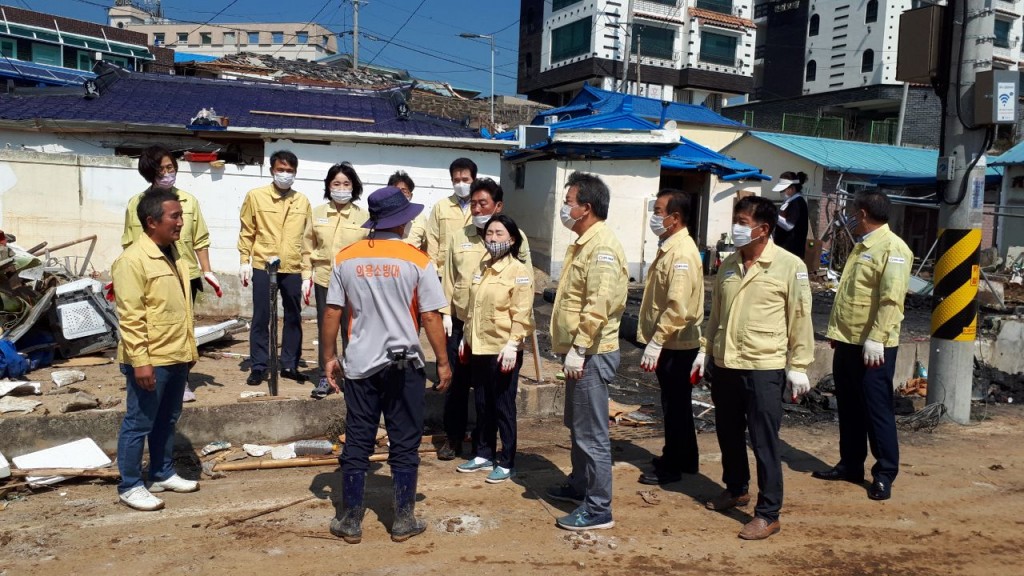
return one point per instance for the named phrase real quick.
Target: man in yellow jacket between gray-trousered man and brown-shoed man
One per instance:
(671, 315)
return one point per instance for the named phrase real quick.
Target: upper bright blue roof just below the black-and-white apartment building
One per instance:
(595, 101)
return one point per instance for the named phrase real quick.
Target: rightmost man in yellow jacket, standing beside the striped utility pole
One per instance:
(865, 332)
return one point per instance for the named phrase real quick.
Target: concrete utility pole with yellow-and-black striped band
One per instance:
(955, 311)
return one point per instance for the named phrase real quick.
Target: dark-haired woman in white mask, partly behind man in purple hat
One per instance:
(334, 227)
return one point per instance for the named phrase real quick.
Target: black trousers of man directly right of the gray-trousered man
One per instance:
(680, 452)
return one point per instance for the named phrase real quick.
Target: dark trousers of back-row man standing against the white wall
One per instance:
(290, 295)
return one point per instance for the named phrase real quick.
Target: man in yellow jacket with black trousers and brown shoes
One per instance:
(761, 339)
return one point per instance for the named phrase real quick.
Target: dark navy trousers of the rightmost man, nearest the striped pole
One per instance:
(866, 413)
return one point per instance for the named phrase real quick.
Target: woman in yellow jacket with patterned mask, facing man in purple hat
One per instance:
(499, 321)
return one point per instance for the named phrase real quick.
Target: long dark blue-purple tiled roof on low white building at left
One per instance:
(160, 100)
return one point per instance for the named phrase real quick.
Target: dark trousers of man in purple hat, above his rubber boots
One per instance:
(397, 394)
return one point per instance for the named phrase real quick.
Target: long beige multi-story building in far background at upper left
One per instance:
(294, 42)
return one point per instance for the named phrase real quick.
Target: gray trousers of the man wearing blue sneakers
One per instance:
(587, 419)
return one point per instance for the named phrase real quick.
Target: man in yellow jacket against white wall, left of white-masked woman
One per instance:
(274, 222)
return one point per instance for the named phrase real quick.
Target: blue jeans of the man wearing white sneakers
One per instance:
(150, 416)
